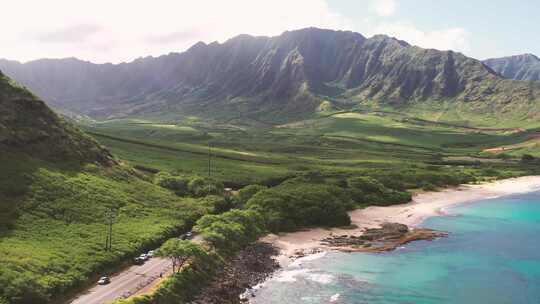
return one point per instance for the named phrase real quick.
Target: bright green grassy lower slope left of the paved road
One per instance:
(54, 240)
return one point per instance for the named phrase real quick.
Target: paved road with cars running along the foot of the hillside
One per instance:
(125, 283)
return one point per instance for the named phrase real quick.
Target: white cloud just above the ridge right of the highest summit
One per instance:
(456, 38)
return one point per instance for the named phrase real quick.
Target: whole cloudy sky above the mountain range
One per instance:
(123, 30)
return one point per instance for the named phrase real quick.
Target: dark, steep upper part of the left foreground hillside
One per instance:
(28, 126)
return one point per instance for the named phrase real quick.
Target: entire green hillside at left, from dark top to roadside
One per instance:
(56, 185)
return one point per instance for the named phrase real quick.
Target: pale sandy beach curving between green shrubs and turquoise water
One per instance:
(412, 214)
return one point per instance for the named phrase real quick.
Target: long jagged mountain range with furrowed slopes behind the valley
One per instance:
(275, 79)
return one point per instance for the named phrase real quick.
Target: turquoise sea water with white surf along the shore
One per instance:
(492, 256)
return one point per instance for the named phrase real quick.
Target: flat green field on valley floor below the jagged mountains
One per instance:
(344, 143)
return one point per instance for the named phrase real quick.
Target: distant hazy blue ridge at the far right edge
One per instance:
(519, 67)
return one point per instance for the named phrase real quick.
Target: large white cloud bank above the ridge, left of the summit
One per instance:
(121, 30)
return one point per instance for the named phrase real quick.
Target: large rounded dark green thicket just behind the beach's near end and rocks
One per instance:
(291, 206)
